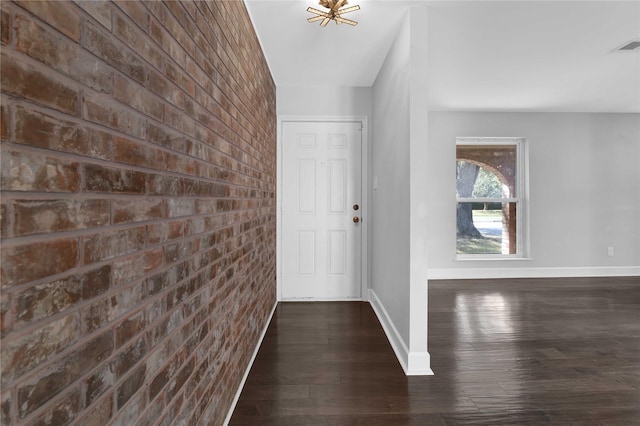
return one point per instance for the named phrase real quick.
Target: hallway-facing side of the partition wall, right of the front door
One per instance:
(390, 201)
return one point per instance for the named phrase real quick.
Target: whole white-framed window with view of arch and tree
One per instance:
(491, 194)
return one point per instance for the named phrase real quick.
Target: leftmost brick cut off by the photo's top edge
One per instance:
(63, 16)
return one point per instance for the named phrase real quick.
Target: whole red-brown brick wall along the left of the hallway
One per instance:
(138, 210)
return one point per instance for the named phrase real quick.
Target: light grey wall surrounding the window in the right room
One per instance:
(584, 192)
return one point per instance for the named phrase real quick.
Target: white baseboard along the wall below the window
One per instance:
(578, 272)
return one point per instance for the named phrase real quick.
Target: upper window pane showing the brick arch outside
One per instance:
(483, 167)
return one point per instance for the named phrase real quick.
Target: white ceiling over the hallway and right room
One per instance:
(483, 55)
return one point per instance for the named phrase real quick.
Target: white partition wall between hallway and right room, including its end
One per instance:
(399, 203)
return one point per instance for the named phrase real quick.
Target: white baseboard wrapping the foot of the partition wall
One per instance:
(413, 363)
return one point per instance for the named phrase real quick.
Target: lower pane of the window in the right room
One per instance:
(486, 228)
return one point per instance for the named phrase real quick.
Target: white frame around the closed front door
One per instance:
(364, 214)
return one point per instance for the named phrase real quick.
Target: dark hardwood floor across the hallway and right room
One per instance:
(504, 352)
